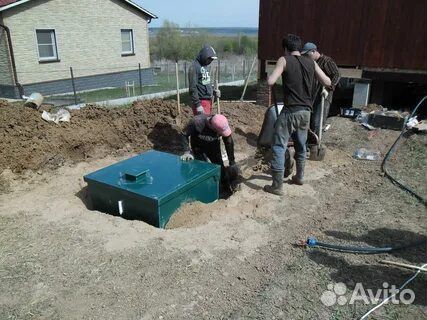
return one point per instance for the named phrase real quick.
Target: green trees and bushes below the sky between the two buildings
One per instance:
(171, 44)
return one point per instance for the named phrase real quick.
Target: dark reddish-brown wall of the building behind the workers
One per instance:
(388, 34)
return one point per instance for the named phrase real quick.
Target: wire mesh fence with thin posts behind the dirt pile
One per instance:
(133, 81)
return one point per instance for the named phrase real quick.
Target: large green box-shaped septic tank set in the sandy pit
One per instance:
(152, 185)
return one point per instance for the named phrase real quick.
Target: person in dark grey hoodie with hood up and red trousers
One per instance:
(200, 86)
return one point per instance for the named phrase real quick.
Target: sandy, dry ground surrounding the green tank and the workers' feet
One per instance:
(232, 259)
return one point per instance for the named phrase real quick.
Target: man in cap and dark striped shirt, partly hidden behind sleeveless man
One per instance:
(330, 68)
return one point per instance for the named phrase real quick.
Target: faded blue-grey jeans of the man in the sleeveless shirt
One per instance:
(290, 124)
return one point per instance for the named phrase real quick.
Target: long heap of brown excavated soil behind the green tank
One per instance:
(29, 142)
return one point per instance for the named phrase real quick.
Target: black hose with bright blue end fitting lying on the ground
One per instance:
(312, 242)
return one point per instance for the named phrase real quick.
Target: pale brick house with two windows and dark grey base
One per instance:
(103, 41)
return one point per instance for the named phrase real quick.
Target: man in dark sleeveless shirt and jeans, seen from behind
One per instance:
(298, 74)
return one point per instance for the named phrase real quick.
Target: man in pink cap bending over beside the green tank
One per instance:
(205, 133)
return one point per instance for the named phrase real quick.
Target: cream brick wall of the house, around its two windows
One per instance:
(87, 33)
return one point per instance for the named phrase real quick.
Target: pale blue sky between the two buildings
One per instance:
(204, 13)
